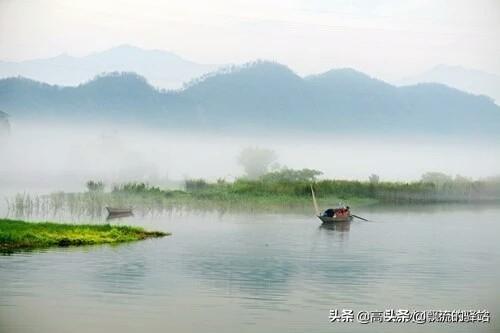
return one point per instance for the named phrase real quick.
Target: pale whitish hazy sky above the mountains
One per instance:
(385, 38)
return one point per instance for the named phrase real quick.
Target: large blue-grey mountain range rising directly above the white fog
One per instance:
(261, 96)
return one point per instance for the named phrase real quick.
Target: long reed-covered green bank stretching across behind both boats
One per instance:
(264, 195)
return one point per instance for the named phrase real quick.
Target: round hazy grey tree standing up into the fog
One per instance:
(256, 161)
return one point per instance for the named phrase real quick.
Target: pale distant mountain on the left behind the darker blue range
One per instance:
(162, 69)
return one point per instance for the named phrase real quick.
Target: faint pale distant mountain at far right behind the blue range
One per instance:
(470, 80)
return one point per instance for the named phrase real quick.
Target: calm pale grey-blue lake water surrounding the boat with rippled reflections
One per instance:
(262, 273)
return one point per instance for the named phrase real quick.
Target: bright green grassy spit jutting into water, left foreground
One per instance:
(27, 235)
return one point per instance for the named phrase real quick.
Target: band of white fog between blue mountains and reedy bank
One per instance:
(62, 157)
